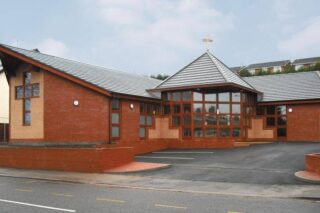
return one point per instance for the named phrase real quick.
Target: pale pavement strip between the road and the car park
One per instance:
(185, 186)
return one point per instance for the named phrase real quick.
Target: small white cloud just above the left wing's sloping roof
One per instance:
(53, 47)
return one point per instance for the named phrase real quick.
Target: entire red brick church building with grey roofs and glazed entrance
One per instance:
(204, 105)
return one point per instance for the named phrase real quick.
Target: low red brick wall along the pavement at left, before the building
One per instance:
(95, 160)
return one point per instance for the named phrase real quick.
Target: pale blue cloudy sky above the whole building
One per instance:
(162, 36)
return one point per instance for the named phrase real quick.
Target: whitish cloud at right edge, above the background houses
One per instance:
(304, 42)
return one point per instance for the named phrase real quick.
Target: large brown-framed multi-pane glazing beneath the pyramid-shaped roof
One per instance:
(205, 113)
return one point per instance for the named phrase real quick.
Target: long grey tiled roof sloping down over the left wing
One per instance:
(108, 79)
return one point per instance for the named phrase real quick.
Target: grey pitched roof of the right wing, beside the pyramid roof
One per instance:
(287, 87)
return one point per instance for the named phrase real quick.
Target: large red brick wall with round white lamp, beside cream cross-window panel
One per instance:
(63, 122)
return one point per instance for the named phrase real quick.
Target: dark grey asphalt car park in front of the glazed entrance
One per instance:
(273, 163)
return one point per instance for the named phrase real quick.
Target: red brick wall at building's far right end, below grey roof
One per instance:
(303, 123)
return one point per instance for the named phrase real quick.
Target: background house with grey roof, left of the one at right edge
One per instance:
(270, 67)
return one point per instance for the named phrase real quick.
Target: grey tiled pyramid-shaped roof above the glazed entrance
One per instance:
(205, 70)
